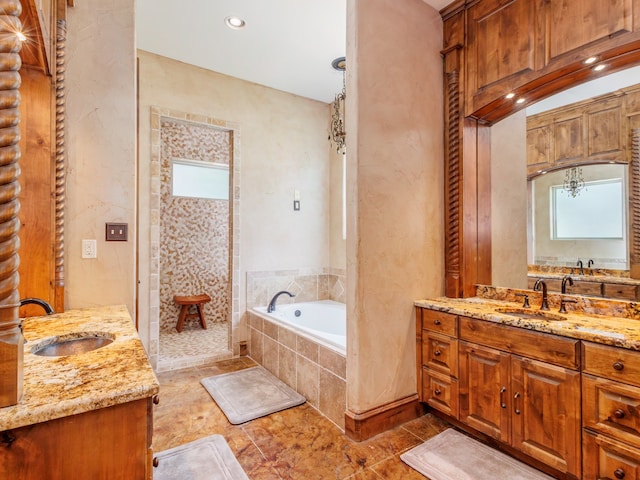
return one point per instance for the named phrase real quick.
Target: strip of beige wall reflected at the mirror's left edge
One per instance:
(509, 201)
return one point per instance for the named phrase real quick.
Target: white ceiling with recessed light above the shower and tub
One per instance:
(286, 44)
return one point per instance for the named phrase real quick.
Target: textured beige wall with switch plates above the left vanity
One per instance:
(101, 147)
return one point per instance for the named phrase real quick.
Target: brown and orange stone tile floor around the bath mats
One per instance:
(298, 443)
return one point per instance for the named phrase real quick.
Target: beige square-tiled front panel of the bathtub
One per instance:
(310, 369)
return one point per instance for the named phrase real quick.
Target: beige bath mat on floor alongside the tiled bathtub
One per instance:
(250, 393)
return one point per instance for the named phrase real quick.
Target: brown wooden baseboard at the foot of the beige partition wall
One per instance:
(360, 426)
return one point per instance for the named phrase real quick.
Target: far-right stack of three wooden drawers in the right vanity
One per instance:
(611, 412)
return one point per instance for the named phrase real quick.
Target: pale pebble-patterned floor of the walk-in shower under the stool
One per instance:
(194, 346)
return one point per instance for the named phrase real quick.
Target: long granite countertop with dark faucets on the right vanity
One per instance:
(608, 330)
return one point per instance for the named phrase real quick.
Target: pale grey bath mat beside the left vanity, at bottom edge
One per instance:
(208, 458)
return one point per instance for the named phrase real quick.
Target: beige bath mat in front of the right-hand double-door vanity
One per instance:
(451, 455)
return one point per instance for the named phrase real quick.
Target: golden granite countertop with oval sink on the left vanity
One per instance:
(56, 387)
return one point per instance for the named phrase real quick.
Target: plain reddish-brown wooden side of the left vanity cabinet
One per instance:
(108, 443)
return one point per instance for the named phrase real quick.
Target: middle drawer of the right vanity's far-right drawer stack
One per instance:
(612, 408)
